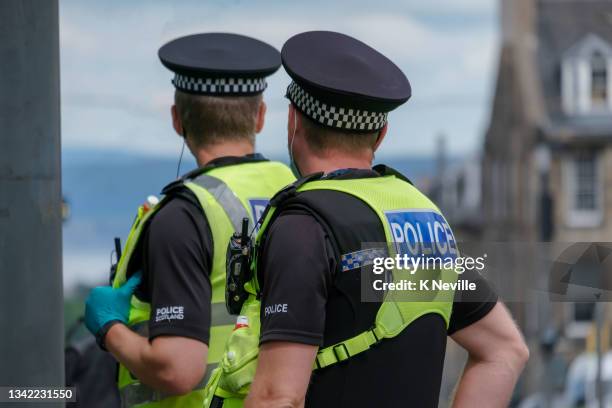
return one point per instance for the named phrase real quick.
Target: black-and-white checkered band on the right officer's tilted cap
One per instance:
(334, 116)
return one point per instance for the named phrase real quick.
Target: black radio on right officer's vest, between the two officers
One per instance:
(238, 269)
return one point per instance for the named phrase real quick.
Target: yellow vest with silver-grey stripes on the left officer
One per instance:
(227, 194)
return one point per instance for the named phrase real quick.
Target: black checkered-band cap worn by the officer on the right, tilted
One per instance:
(342, 83)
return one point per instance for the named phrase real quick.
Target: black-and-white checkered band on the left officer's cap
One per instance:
(229, 86)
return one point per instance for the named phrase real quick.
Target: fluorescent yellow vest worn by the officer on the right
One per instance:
(389, 197)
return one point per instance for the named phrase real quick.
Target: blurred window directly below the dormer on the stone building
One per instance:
(583, 184)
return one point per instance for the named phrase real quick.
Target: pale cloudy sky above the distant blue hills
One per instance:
(116, 95)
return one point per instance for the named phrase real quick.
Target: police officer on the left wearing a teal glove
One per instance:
(164, 315)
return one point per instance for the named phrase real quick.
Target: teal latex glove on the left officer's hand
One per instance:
(106, 305)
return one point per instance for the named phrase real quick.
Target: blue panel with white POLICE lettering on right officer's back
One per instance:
(419, 232)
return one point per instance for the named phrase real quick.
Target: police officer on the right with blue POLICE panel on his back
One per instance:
(321, 342)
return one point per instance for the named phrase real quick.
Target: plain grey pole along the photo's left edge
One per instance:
(31, 299)
